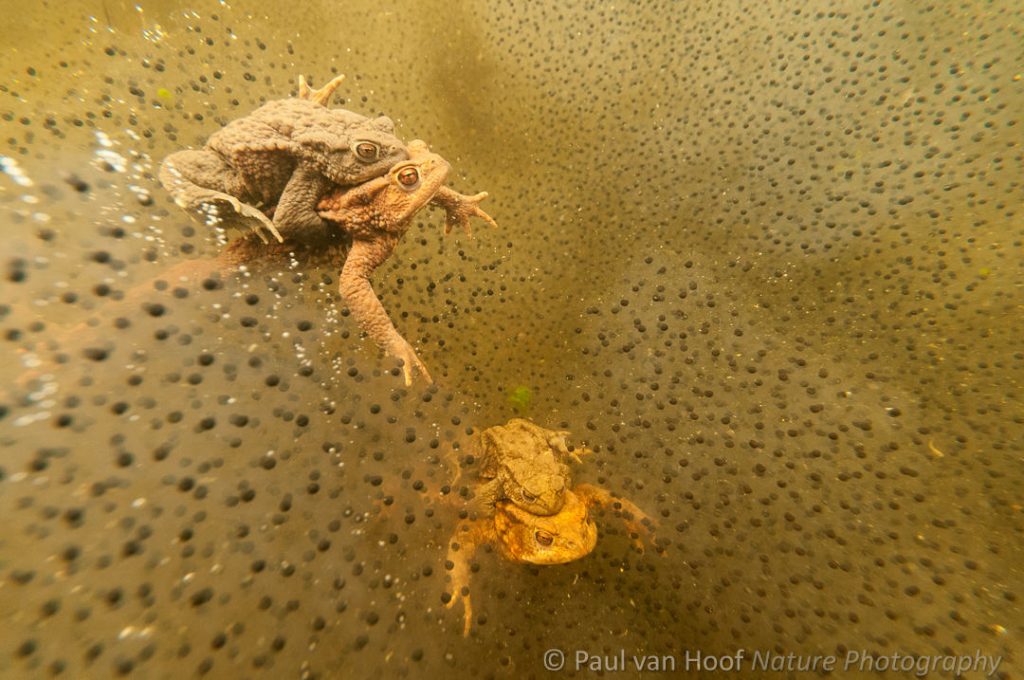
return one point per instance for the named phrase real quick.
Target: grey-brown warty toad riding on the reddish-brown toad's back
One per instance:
(283, 159)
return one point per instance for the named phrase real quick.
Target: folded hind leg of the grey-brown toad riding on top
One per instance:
(198, 179)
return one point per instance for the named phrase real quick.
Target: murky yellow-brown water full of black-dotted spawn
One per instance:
(766, 262)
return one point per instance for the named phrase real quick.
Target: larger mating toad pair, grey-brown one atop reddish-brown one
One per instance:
(304, 173)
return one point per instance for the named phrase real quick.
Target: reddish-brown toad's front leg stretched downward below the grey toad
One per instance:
(367, 256)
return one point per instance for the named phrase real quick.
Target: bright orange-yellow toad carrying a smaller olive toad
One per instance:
(525, 538)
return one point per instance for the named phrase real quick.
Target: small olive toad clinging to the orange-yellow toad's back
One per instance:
(525, 464)
